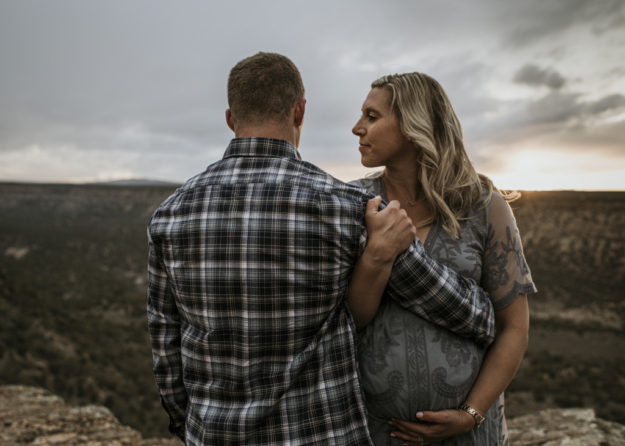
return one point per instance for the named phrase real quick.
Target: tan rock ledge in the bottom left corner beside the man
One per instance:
(34, 416)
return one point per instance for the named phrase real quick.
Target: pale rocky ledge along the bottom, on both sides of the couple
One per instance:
(33, 416)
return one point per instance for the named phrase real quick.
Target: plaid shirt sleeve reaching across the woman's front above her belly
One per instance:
(442, 296)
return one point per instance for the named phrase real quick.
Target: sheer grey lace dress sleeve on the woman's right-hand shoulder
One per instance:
(505, 272)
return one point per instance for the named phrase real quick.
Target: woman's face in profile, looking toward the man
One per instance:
(381, 141)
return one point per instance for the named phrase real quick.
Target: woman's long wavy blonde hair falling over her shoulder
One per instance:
(448, 181)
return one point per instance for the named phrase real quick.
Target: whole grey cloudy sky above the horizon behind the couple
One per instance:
(116, 89)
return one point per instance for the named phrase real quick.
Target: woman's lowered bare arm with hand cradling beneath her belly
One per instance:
(500, 365)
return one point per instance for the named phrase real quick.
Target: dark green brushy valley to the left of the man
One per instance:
(72, 296)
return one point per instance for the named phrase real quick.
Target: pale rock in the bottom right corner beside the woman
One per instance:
(565, 427)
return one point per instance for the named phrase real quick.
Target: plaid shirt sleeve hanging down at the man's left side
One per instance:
(164, 328)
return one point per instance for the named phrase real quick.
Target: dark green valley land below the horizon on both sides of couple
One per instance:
(72, 298)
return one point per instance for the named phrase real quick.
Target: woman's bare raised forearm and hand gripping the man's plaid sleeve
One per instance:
(390, 232)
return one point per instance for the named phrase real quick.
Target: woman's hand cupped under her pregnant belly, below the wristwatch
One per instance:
(433, 426)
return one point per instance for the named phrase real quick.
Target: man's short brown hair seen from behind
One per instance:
(264, 87)
